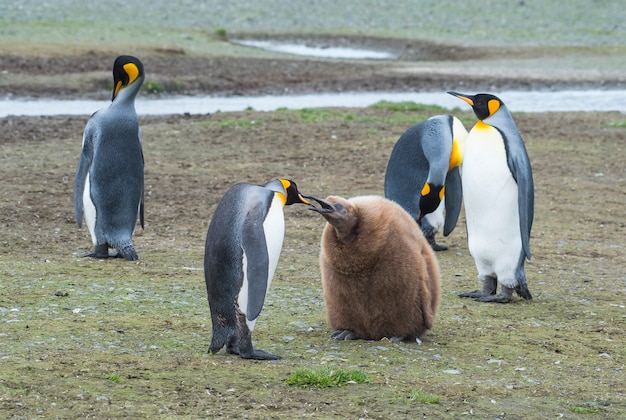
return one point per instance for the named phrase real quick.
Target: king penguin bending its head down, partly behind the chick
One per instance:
(423, 174)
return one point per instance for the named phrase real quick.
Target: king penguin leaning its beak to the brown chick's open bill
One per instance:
(242, 247)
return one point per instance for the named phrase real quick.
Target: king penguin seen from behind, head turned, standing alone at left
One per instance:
(108, 187)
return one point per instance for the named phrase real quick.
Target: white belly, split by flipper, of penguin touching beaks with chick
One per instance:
(274, 228)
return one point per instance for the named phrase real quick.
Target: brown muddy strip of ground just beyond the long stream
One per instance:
(86, 73)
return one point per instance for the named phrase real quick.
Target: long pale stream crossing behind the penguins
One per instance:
(516, 101)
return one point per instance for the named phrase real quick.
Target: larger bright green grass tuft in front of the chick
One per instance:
(326, 377)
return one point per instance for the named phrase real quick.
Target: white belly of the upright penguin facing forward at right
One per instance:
(491, 205)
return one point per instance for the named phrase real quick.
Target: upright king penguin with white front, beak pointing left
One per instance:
(498, 193)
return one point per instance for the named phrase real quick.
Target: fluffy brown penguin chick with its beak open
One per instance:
(379, 274)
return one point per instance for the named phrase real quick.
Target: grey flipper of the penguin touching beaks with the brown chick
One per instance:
(256, 254)
